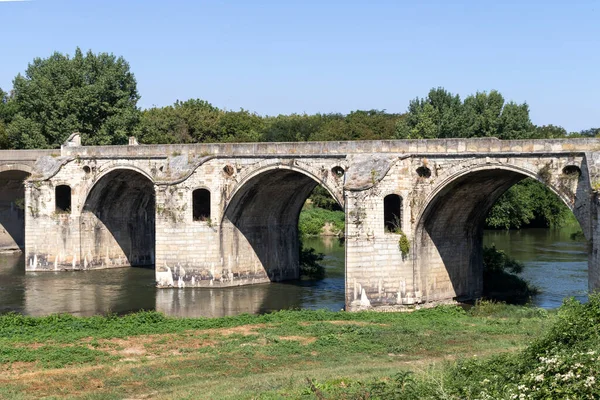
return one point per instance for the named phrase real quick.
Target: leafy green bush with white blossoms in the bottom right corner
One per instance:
(565, 363)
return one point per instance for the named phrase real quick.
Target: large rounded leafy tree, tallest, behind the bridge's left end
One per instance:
(95, 95)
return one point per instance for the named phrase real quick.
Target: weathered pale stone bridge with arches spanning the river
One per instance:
(216, 215)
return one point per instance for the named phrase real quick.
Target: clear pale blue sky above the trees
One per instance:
(328, 56)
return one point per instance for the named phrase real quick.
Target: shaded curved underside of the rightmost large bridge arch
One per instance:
(449, 232)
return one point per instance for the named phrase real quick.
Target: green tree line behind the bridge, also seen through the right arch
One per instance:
(96, 95)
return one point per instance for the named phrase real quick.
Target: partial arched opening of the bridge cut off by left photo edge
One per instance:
(12, 215)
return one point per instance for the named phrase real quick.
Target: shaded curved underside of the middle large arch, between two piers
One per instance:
(259, 229)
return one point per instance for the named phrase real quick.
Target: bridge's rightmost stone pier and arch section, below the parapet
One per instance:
(445, 201)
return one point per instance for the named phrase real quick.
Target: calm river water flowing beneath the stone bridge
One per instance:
(554, 263)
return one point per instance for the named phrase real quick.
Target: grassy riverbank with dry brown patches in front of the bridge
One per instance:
(287, 353)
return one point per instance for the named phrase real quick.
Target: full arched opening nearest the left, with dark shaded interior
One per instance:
(118, 221)
